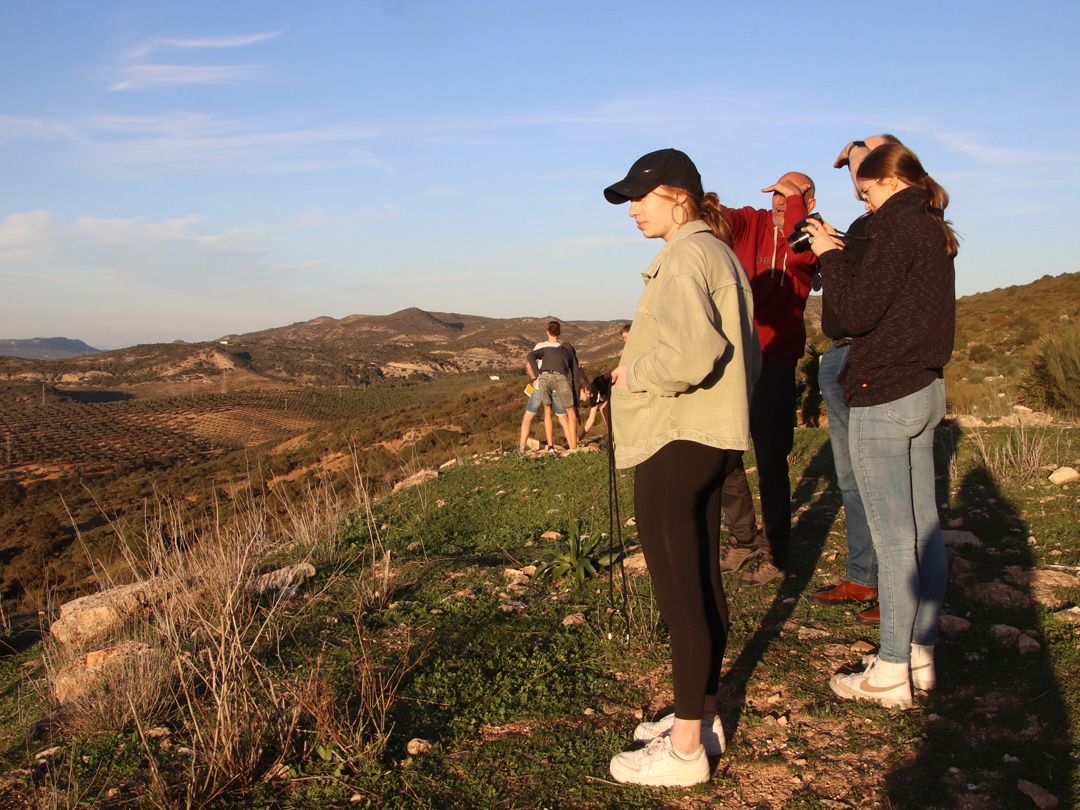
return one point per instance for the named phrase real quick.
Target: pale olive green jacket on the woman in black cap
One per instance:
(693, 355)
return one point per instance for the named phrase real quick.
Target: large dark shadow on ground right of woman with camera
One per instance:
(997, 717)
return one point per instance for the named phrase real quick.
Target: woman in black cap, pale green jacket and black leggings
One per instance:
(681, 417)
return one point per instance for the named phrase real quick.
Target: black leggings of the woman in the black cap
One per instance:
(678, 507)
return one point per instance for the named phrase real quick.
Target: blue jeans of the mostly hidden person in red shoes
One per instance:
(862, 564)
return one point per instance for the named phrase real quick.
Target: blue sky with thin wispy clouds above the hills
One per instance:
(185, 171)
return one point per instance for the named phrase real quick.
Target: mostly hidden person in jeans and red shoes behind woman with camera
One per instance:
(860, 580)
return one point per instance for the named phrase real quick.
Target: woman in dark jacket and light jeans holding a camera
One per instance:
(899, 304)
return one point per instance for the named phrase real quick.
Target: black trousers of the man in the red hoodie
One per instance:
(773, 429)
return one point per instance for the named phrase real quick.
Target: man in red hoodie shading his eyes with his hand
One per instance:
(781, 280)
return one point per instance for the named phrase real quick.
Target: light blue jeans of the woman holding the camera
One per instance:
(894, 457)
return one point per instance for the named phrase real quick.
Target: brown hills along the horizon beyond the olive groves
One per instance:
(326, 352)
